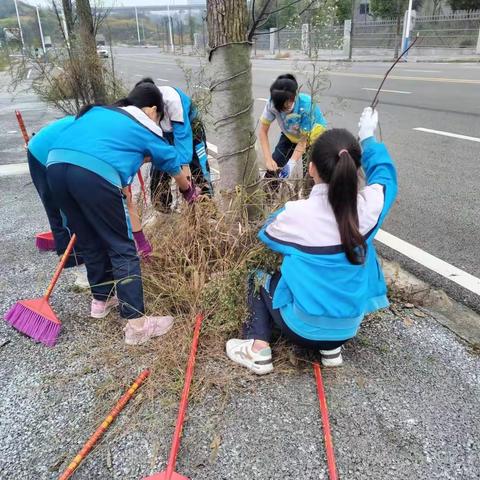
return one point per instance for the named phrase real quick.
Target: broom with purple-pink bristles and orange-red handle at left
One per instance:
(35, 317)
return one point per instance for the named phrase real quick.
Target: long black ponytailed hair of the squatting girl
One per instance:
(337, 156)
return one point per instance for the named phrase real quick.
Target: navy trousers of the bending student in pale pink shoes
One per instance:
(97, 213)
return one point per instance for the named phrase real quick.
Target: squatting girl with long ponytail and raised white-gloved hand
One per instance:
(330, 277)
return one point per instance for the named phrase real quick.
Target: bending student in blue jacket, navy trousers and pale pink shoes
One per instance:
(87, 168)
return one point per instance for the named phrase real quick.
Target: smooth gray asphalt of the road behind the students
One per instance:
(439, 204)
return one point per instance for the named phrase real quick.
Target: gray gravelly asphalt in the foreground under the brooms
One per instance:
(405, 405)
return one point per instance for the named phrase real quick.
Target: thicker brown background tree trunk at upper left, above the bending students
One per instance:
(88, 51)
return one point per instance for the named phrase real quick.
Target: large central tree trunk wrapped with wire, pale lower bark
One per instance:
(231, 89)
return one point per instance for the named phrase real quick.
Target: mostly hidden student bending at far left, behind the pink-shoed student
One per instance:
(37, 153)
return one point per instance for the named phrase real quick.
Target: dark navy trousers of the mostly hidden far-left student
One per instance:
(60, 230)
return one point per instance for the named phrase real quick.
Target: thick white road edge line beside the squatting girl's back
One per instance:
(431, 262)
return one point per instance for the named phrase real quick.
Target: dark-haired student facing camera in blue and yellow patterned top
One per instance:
(300, 121)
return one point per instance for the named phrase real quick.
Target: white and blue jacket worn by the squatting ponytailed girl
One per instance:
(321, 295)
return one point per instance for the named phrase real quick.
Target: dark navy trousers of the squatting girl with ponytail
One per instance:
(263, 318)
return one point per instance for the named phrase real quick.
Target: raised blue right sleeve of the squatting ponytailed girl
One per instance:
(379, 168)
